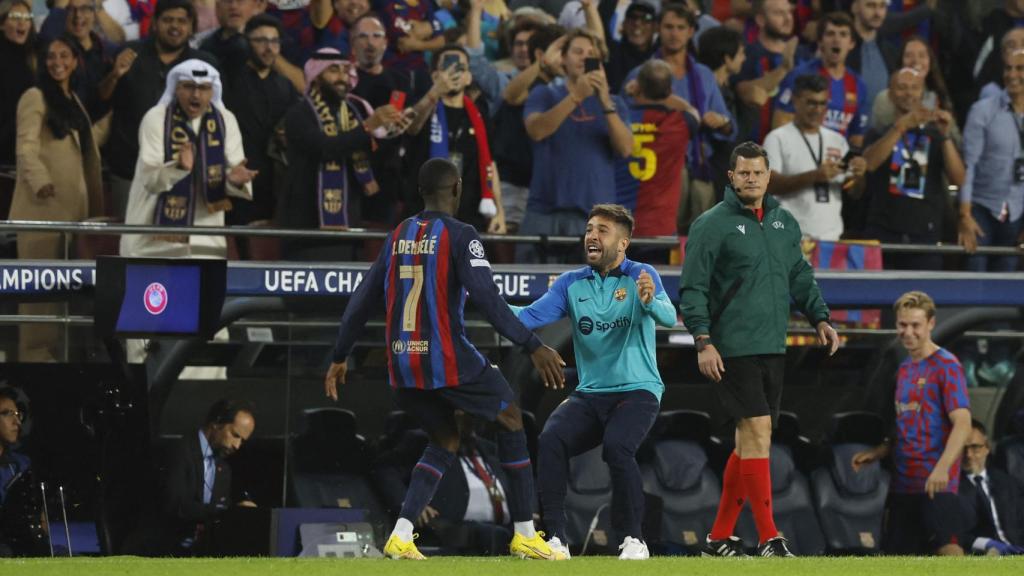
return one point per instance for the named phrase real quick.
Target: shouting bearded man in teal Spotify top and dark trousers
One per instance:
(614, 305)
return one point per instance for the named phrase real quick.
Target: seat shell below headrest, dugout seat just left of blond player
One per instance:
(850, 505)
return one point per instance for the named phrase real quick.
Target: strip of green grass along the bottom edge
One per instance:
(499, 567)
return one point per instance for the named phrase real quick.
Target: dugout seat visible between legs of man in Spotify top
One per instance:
(589, 497)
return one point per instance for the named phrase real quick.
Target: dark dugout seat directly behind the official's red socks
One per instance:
(793, 507)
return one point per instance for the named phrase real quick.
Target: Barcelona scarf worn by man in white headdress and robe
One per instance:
(177, 208)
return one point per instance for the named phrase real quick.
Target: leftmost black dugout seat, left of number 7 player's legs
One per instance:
(331, 464)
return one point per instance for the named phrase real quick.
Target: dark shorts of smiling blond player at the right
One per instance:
(918, 525)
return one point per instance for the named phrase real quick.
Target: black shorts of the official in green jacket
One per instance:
(752, 386)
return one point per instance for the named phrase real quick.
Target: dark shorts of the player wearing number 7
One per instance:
(486, 396)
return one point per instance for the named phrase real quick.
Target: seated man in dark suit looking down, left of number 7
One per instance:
(197, 484)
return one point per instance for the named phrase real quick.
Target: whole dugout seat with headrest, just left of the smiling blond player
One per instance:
(851, 505)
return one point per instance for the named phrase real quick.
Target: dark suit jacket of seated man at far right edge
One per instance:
(1008, 496)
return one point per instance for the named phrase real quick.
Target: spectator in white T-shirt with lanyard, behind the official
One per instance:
(810, 164)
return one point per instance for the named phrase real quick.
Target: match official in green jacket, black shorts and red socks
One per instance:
(744, 267)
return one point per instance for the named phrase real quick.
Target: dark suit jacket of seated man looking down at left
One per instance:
(181, 509)
